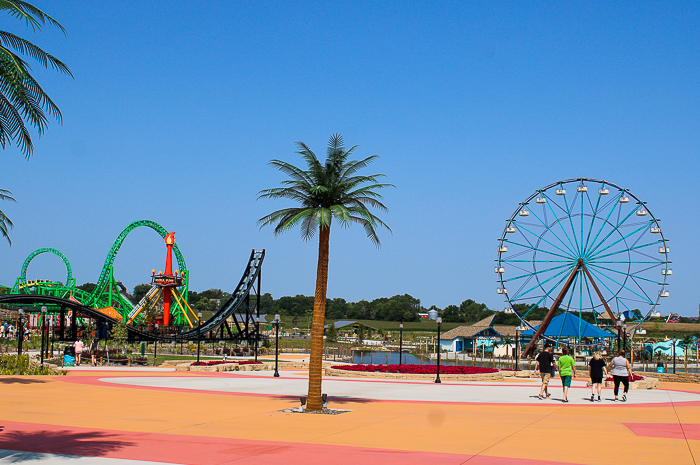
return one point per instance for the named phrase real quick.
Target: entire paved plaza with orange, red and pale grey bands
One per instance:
(146, 415)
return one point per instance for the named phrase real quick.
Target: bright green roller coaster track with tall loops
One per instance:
(106, 292)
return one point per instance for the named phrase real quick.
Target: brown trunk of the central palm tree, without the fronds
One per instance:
(314, 402)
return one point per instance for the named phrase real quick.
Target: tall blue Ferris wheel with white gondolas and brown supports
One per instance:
(585, 246)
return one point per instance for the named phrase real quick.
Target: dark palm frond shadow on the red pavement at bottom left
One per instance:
(88, 444)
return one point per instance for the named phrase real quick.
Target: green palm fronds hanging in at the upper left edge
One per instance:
(21, 97)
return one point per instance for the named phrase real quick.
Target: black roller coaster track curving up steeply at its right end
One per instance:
(245, 322)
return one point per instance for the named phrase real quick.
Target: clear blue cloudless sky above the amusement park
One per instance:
(176, 108)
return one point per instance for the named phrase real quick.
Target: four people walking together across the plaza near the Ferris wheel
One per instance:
(598, 369)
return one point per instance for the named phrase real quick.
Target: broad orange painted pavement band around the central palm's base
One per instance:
(548, 431)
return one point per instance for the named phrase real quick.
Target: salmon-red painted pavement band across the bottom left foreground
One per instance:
(202, 450)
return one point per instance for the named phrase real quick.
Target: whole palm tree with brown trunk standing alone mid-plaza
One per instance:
(325, 191)
